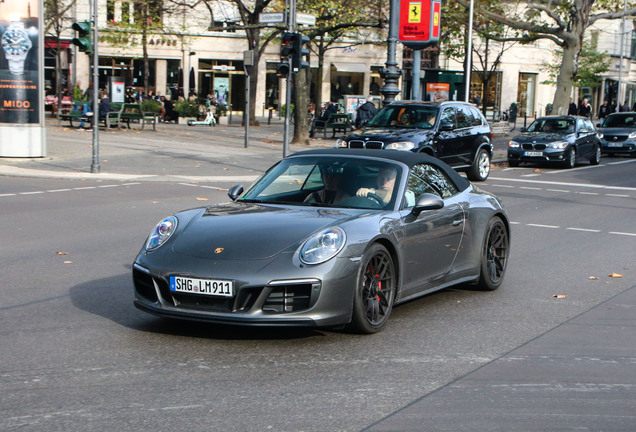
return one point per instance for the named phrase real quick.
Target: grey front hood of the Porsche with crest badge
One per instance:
(253, 231)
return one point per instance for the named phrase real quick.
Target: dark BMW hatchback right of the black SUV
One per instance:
(556, 139)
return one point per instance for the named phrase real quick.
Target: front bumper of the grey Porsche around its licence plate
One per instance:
(312, 296)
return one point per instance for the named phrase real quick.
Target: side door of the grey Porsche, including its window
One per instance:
(431, 240)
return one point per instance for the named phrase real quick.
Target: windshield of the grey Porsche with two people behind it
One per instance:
(328, 181)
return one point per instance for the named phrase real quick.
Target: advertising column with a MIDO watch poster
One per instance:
(21, 75)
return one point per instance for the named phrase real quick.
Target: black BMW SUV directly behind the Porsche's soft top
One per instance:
(455, 132)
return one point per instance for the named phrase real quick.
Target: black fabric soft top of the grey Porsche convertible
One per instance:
(406, 157)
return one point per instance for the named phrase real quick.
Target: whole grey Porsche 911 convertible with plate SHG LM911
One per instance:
(325, 238)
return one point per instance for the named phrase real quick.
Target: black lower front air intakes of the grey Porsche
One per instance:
(282, 298)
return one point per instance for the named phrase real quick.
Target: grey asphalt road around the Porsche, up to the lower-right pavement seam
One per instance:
(76, 355)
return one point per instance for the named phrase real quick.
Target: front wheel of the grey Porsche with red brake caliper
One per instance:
(374, 292)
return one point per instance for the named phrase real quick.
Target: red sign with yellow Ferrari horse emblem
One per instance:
(419, 22)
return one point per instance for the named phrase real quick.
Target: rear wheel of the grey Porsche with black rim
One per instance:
(494, 255)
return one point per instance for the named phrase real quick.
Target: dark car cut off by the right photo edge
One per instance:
(618, 133)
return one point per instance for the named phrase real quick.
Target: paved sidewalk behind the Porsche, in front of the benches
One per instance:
(172, 152)
